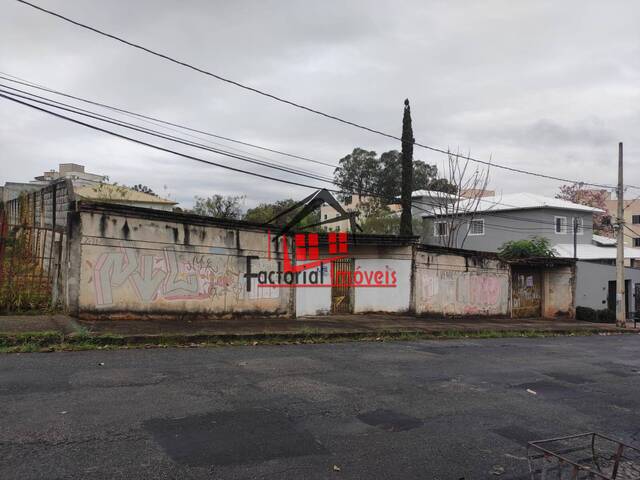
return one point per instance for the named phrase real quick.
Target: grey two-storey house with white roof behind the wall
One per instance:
(568, 228)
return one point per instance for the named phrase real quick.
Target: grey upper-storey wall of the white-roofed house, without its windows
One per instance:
(504, 226)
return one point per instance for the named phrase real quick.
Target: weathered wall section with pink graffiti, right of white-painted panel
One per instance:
(447, 284)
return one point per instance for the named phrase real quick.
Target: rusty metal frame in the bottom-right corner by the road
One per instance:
(583, 456)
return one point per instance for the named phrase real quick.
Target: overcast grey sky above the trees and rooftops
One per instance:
(546, 86)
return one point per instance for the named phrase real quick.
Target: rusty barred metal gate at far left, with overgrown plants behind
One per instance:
(30, 258)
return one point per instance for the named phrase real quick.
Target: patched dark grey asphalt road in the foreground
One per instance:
(443, 409)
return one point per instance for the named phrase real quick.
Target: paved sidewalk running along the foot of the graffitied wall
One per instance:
(323, 325)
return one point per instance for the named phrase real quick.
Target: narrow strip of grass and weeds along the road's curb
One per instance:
(83, 340)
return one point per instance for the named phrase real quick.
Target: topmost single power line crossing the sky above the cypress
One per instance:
(290, 102)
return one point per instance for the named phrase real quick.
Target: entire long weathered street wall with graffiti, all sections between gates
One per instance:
(128, 262)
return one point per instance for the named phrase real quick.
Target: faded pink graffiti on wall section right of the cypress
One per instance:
(456, 292)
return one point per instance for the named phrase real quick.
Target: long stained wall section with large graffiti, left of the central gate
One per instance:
(132, 264)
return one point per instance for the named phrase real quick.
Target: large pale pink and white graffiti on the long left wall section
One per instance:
(167, 276)
